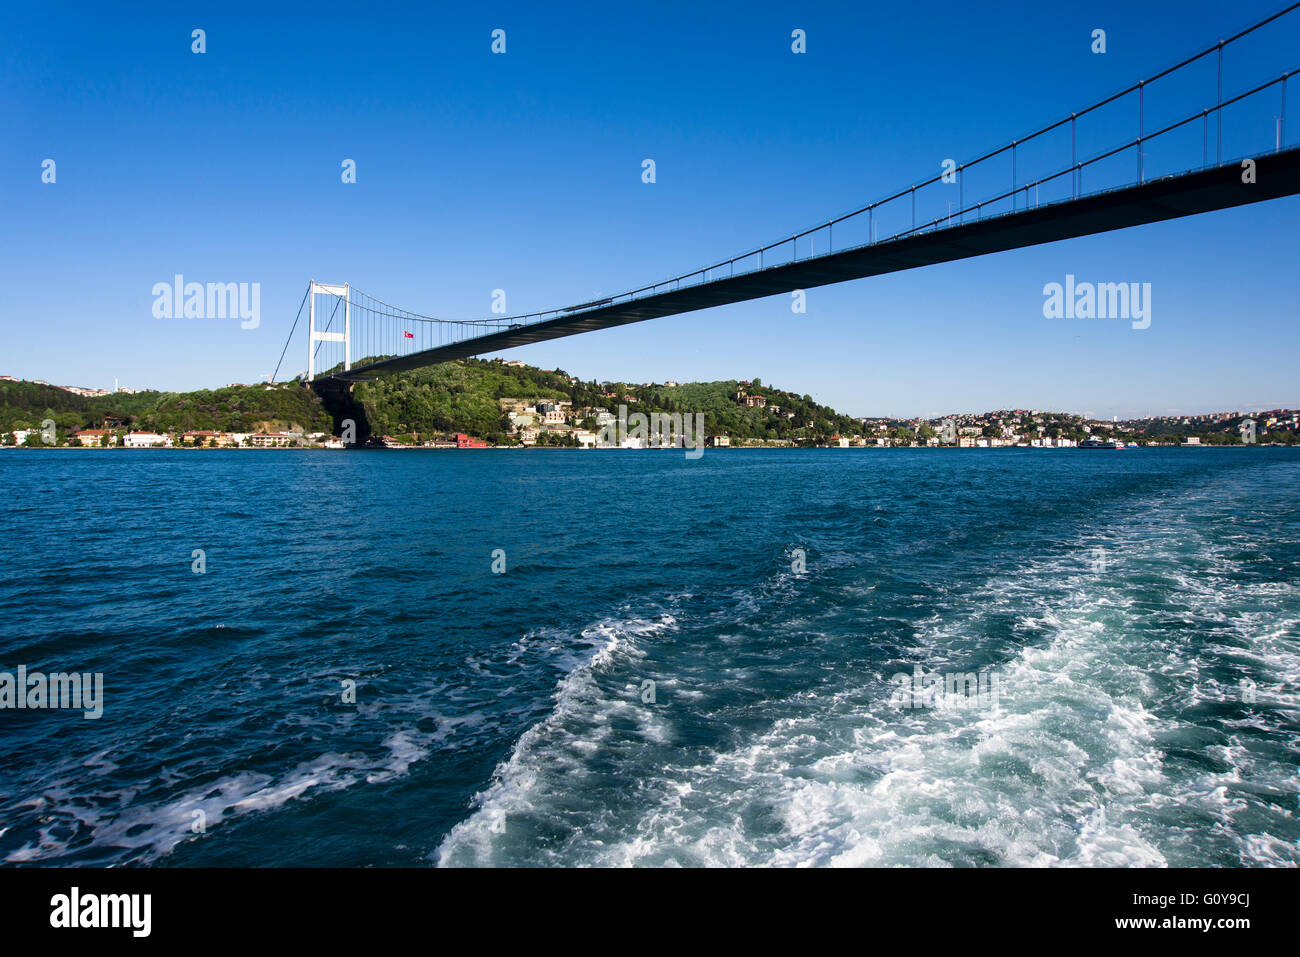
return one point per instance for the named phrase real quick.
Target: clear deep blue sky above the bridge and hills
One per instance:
(523, 172)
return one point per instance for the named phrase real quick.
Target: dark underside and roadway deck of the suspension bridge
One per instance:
(1188, 194)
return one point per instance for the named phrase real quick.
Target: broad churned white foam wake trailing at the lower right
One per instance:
(1073, 768)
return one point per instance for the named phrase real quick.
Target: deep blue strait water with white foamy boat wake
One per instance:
(1139, 610)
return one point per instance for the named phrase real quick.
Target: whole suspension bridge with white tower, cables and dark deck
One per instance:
(1171, 164)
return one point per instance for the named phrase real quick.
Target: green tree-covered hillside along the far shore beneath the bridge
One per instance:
(466, 396)
